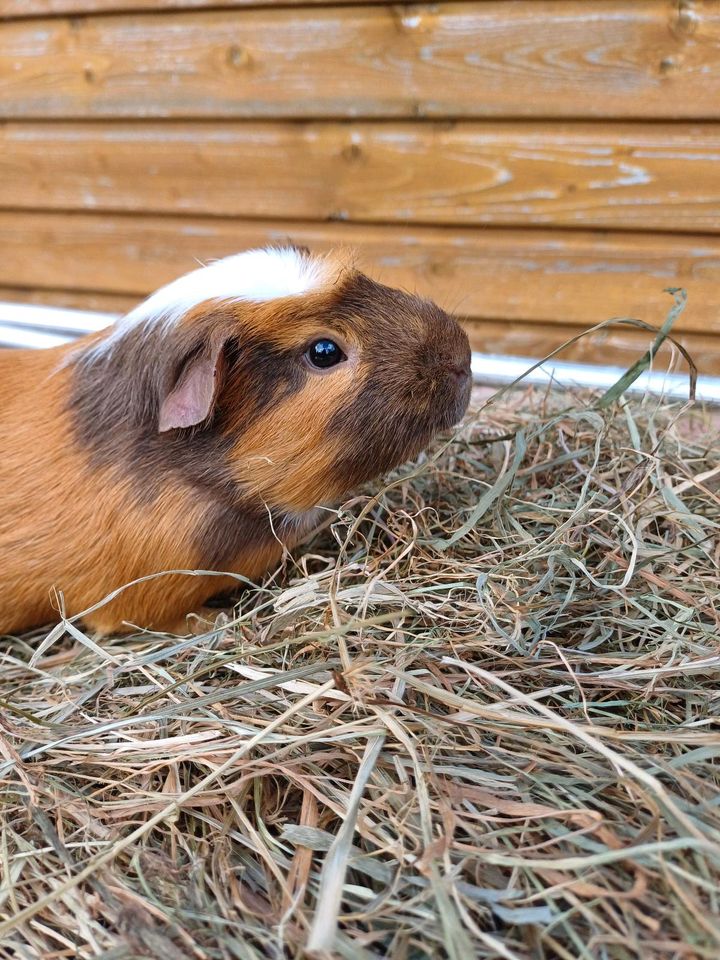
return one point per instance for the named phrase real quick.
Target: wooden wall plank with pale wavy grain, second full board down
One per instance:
(628, 176)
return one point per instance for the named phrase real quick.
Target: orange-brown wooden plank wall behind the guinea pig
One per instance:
(536, 165)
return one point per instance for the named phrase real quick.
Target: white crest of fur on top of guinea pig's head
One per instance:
(255, 275)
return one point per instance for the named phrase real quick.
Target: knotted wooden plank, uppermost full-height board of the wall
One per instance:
(561, 58)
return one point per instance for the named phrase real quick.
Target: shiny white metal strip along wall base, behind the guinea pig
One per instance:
(33, 325)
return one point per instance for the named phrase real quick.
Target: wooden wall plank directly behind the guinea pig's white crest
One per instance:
(514, 275)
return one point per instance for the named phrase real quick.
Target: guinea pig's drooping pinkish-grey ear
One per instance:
(192, 399)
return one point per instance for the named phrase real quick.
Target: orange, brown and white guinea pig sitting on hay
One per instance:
(203, 430)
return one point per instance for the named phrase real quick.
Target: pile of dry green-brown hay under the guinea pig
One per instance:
(475, 717)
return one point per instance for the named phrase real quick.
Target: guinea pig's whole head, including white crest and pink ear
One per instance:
(293, 377)
